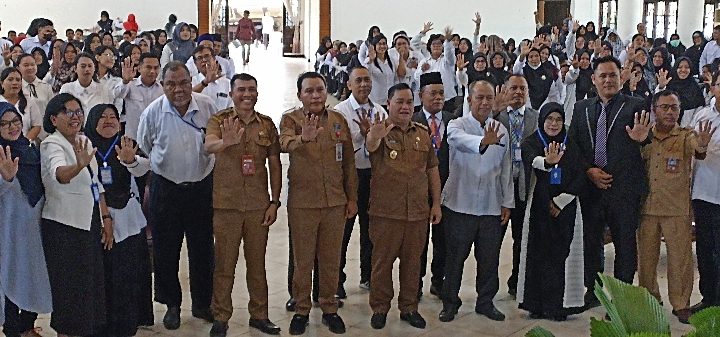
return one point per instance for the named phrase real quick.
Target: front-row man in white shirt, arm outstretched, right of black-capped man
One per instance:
(477, 202)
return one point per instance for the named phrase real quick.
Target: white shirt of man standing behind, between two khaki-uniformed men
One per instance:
(351, 109)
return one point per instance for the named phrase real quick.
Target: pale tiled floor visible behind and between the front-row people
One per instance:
(276, 77)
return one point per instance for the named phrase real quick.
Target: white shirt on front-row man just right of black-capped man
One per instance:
(488, 186)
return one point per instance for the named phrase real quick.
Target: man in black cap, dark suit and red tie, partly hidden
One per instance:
(432, 115)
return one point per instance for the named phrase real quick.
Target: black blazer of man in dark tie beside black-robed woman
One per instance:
(625, 163)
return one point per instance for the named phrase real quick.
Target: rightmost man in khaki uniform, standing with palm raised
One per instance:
(666, 211)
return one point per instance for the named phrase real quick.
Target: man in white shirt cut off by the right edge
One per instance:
(706, 206)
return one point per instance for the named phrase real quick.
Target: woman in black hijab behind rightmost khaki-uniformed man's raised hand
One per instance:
(689, 91)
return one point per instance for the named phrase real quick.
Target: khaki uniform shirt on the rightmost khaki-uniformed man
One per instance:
(668, 160)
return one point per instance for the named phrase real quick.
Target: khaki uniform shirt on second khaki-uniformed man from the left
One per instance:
(321, 173)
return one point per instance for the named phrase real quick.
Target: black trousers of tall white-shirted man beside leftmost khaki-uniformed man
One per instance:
(182, 211)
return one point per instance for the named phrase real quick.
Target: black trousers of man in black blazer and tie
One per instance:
(623, 217)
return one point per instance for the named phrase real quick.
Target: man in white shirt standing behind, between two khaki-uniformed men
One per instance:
(360, 112)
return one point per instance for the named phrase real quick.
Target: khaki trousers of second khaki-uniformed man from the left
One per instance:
(316, 232)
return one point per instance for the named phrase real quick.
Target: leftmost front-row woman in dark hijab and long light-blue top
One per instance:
(24, 283)
